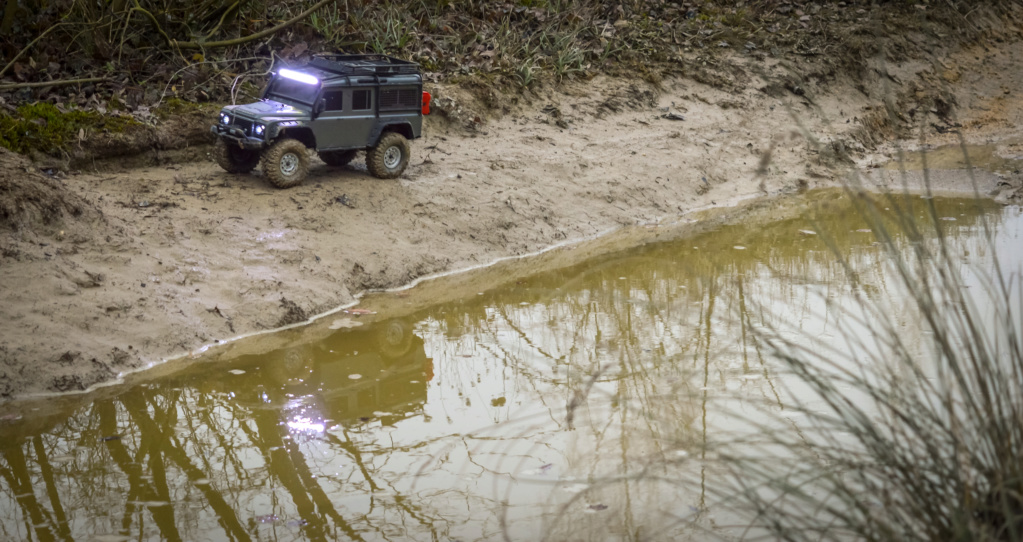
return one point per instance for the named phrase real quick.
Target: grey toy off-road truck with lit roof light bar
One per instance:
(337, 105)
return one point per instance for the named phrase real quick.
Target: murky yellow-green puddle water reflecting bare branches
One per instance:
(571, 404)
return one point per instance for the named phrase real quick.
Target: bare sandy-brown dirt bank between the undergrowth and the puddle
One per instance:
(134, 266)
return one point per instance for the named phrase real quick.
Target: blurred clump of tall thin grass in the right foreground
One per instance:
(899, 445)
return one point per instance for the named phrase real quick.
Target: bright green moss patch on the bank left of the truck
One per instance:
(45, 128)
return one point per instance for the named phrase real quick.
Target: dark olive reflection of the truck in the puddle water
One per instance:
(352, 377)
